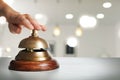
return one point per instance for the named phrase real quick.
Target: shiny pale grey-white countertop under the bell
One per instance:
(70, 69)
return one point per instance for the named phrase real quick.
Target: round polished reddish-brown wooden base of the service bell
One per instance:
(33, 65)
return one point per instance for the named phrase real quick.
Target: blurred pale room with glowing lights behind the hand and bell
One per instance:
(75, 28)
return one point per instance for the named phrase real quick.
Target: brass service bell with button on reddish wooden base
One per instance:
(34, 56)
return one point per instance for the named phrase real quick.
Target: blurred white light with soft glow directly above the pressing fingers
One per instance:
(42, 19)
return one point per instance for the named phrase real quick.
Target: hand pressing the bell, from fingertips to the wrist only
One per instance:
(17, 20)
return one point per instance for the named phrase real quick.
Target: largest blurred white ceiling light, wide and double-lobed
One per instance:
(87, 21)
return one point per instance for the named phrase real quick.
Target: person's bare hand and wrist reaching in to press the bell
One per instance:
(17, 20)
